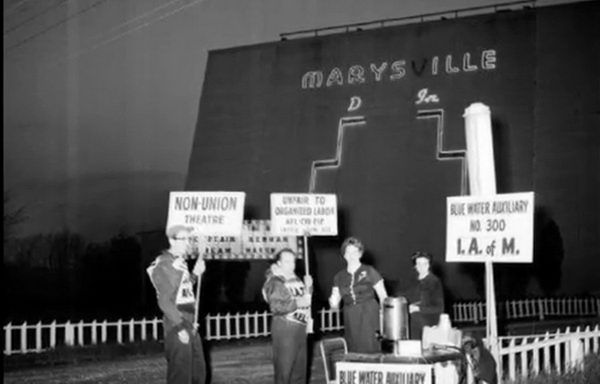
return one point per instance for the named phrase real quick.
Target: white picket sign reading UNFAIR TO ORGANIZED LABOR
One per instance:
(298, 214)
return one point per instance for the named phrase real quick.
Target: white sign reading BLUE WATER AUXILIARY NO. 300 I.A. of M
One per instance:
(496, 226)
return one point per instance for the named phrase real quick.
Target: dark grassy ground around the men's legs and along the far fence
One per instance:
(240, 362)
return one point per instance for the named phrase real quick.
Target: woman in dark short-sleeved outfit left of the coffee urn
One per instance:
(356, 286)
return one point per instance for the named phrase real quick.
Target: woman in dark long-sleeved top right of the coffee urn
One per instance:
(427, 298)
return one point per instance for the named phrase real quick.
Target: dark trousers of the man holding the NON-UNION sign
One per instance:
(185, 362)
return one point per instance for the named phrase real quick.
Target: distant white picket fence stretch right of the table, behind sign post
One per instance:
(541, 308)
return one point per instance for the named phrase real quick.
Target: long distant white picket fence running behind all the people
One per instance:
(25, 338)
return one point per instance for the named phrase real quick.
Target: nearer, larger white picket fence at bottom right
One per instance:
(526, 356)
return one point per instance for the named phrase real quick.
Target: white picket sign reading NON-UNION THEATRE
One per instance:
(209, 213)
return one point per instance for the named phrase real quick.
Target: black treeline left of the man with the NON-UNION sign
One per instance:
(61, 277)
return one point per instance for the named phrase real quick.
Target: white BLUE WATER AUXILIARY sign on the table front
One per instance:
(371, 373)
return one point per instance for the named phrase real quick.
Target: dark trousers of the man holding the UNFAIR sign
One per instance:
(289, 351)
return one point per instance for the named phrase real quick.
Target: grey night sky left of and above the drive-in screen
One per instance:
(101, 97)
